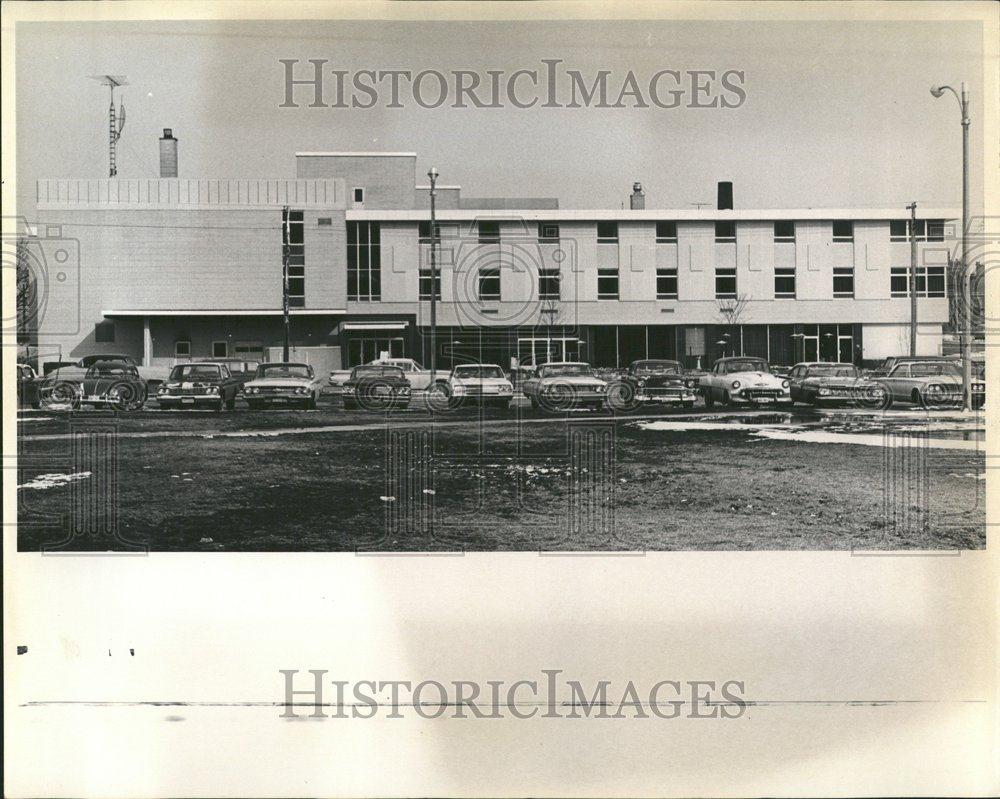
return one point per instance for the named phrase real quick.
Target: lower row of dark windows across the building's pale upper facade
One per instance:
(930, 283)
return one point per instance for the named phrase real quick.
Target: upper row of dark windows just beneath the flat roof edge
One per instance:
(666, 232)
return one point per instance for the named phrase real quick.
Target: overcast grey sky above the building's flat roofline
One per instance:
(836, 114)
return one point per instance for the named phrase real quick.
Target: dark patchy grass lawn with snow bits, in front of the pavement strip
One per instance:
(504, 487)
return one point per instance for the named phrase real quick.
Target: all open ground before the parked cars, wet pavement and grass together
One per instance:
(470, 479)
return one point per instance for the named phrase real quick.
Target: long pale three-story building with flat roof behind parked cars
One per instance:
(172, 269)
